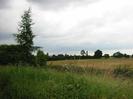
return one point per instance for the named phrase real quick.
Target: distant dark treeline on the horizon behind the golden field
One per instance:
(84, 55)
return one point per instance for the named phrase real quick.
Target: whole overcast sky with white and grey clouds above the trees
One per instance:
(68, 26)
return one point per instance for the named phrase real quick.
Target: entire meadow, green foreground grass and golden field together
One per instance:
(69, 80)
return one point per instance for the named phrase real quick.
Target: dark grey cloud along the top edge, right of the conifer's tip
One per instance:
(57, 4)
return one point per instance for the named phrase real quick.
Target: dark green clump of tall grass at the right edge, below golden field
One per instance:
(123, 71)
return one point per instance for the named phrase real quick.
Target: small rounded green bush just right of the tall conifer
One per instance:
(41, 58)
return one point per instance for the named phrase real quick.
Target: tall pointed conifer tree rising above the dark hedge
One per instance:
(25, 36)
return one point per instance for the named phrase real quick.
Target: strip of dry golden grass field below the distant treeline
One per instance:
(96, 63)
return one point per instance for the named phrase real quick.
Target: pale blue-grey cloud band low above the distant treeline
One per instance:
(63, 48)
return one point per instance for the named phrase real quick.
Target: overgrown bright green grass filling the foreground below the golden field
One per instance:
(46, 83)
